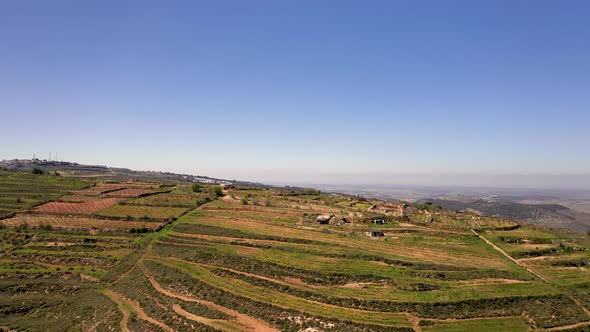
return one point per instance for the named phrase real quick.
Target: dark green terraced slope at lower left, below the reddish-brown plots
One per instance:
(50, 279)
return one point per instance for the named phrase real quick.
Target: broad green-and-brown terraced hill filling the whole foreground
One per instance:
(261, 260)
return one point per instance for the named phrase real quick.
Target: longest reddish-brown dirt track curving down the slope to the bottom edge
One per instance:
(250, 323)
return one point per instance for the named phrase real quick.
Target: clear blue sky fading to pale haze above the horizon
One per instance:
(301, 91)
